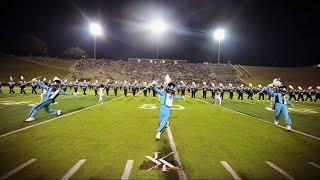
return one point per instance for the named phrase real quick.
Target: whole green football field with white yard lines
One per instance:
(111, 140)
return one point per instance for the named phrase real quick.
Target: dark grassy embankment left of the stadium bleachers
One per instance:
(12, 66)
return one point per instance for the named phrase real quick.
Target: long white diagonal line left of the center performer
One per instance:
(15, 131)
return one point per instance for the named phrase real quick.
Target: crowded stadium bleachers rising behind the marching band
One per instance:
(122, 70)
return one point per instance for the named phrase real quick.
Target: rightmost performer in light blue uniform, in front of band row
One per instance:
(280, 103)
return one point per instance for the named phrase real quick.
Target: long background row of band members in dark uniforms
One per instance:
(216, 91)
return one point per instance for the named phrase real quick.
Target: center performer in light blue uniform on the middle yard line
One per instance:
(166, 101)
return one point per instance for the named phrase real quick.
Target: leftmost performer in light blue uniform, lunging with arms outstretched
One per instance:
(52, 93)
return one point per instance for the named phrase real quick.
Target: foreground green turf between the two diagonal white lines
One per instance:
(114, 132)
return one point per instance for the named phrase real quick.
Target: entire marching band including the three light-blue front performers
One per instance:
(275, 92)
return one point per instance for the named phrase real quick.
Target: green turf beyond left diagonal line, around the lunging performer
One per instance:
(12, 116)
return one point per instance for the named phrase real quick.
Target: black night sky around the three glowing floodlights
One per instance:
(258, 32)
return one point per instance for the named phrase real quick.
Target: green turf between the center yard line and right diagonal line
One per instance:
(208, 134)
